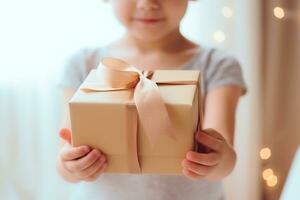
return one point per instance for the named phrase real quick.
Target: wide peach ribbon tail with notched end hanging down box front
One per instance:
(152, 110)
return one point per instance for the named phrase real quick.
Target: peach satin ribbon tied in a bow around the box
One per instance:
(113, 75)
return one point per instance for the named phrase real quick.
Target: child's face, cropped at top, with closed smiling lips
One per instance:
(150, 19)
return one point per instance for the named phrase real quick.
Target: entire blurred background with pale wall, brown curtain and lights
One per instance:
(37, 36)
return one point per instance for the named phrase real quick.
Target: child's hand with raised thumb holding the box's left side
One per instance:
(79, 163)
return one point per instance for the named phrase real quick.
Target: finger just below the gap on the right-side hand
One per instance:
(208, 159)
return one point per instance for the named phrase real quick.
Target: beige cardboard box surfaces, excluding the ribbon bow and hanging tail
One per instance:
(104, 120)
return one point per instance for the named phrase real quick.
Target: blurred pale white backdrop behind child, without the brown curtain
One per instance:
(37, 35)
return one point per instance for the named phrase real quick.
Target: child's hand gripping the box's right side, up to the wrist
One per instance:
(215, 164)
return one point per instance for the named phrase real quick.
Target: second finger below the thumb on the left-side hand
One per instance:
(84, 162)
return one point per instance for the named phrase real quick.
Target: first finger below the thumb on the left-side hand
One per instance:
(71, 153)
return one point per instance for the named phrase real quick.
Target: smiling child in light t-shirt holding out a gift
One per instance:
(153, 41)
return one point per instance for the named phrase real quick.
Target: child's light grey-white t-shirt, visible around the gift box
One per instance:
(218, 69)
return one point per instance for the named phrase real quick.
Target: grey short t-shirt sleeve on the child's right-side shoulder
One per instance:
(224, 70)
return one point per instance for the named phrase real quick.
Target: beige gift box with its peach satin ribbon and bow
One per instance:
(143, 121)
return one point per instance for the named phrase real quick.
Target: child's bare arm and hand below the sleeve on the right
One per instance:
(218, 135)
